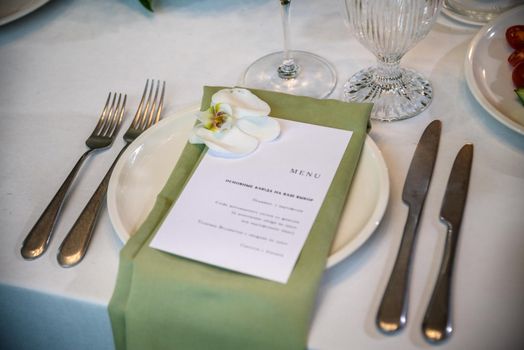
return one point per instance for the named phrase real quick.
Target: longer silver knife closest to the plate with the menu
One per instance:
(392, 313)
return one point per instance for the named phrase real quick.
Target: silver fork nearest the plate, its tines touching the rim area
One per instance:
(74, 247)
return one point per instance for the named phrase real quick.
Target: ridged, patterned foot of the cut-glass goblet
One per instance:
(393, 99)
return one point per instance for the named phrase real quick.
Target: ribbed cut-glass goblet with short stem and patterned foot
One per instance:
(389, 29)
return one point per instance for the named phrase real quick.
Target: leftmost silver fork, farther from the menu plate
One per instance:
(37, 241)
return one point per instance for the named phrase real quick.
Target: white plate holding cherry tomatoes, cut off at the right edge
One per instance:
(488, 73)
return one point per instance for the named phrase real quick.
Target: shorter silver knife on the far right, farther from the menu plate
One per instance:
(437, 323)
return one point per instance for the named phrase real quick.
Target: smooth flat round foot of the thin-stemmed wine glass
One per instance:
(316, 76)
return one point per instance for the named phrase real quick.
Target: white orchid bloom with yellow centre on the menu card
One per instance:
(235, 124)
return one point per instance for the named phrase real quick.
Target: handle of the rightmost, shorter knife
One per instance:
(436, 325)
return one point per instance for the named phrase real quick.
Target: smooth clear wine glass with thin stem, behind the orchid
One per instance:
(291, 71)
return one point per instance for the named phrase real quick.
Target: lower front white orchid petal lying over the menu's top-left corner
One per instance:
(230, 143)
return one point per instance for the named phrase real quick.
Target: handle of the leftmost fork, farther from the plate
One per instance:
(37, 240)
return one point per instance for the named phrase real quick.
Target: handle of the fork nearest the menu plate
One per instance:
(75, 244)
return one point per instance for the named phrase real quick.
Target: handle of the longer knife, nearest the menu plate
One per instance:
(392, 312)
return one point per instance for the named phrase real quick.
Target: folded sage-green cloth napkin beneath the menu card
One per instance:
(162, 301)
